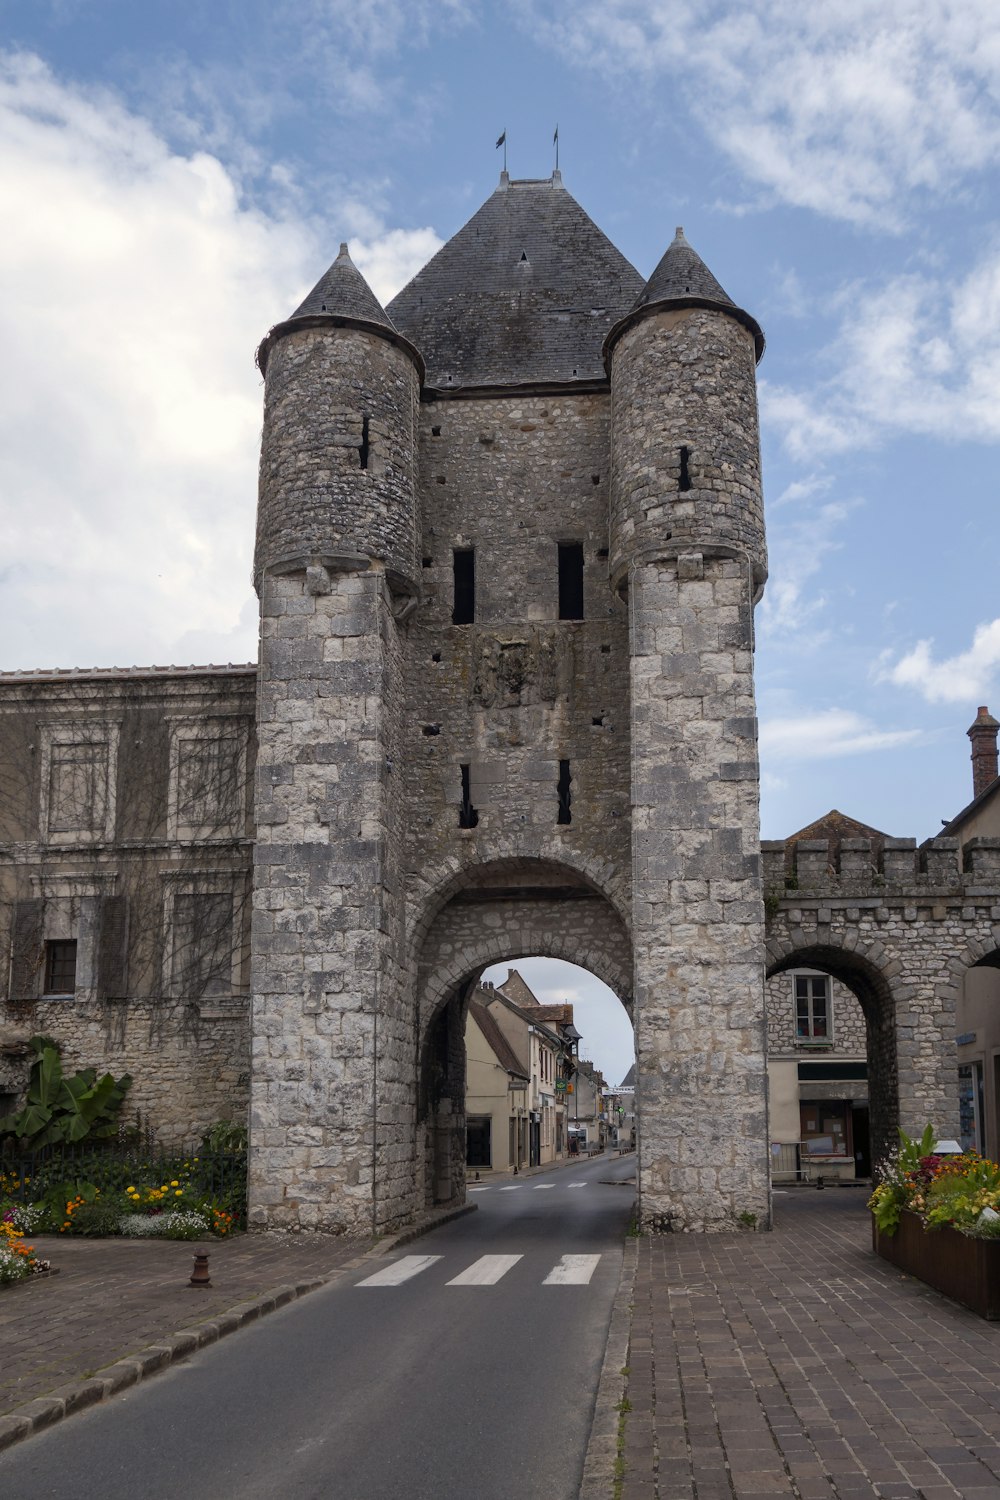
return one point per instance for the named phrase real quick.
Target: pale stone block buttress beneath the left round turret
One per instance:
(320, 904)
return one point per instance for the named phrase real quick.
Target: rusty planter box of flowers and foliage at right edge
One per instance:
(938, 1219)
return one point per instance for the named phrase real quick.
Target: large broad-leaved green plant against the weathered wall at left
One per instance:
(65, 1109)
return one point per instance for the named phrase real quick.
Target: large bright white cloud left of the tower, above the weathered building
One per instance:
(137, 287)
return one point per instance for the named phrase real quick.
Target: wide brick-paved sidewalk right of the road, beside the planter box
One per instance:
(801, 1364)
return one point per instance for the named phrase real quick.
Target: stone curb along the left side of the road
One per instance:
(79, 1394)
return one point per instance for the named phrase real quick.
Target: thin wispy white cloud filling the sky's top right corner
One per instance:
(849, 109)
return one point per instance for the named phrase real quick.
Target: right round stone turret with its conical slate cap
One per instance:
(686, 449)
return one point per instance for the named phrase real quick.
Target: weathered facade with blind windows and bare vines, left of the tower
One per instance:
(125, 794)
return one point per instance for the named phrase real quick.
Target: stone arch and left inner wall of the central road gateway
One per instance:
(496, 914)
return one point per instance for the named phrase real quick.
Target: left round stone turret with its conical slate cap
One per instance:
(338, 454)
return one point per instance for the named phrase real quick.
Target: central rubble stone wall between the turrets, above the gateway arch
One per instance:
(518, 691)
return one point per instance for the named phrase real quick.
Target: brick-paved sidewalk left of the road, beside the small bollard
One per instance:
(115, 1298)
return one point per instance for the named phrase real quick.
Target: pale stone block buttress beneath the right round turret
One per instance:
(698, 905)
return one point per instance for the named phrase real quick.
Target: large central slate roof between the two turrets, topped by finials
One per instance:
(525, 293)
